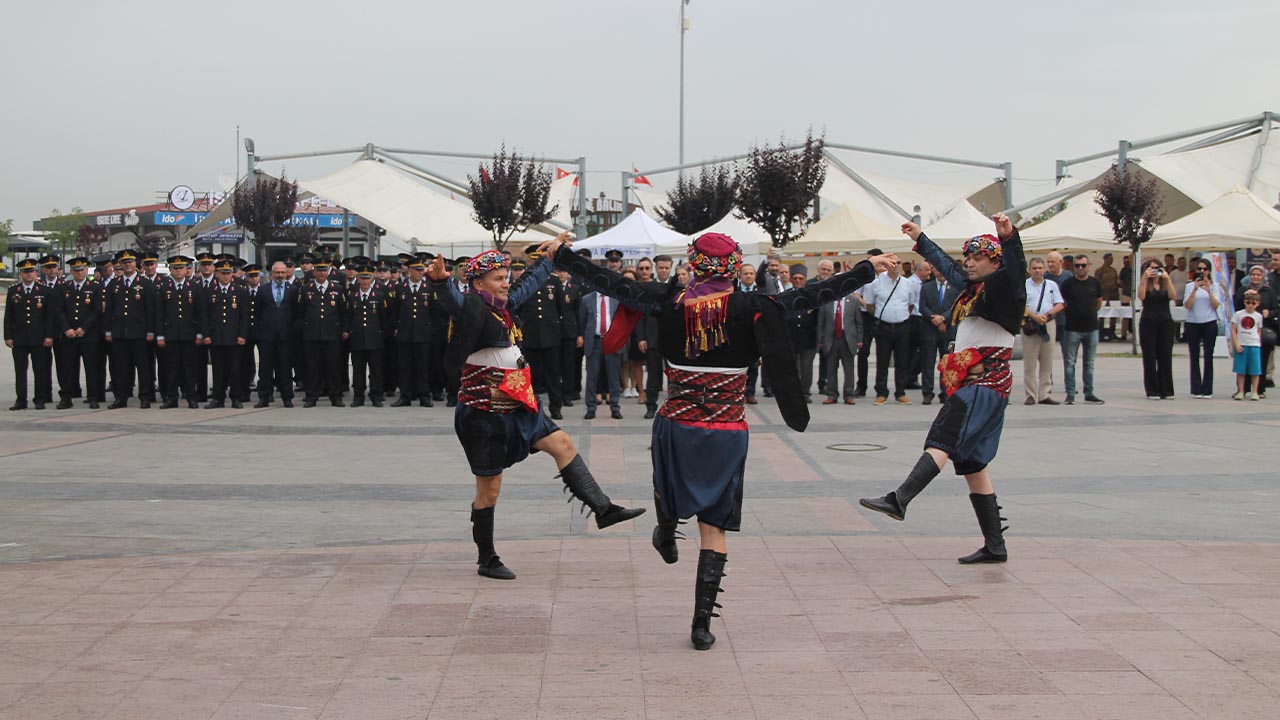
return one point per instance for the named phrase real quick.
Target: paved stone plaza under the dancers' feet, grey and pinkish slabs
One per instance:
(285, 564)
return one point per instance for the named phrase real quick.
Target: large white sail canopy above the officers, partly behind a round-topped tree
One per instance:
(409, 209)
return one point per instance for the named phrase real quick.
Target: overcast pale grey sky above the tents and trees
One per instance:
(108, 103)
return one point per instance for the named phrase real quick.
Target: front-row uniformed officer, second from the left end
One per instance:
(79, 316)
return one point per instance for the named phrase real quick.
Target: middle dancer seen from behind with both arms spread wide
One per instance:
(710, 336)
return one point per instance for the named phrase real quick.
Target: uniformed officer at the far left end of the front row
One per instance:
(29, 331)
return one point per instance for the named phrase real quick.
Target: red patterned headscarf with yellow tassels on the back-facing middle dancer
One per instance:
(714, 262)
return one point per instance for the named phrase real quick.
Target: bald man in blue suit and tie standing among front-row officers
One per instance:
(277, 308)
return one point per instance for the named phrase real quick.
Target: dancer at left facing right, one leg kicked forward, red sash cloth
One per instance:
(499, 420)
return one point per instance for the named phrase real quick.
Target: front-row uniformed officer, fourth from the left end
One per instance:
(179, 332)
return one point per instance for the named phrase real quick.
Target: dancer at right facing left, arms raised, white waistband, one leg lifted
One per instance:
(975, 375)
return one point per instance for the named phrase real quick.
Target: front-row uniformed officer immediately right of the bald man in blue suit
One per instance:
(322, 307)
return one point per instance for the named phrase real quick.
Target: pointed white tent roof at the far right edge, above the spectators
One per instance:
(1237, 221)
